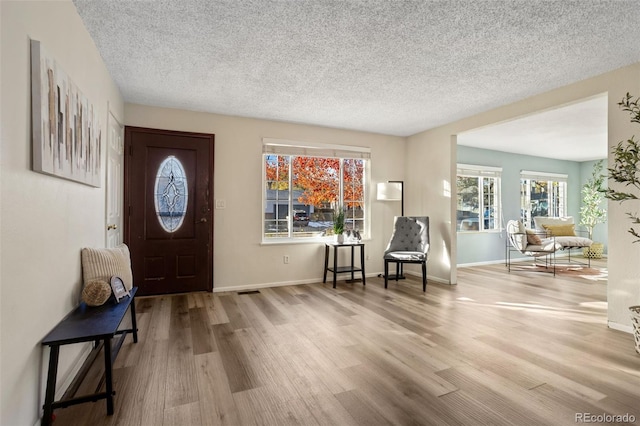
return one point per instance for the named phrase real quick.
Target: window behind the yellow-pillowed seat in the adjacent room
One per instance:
(542, 194)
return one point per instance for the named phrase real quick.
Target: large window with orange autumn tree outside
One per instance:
(303, 185)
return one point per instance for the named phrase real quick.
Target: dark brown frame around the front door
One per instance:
(128, 149)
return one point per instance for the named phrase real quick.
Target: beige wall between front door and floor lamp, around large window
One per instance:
(238, 181)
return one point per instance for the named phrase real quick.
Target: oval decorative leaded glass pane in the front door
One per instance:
(171, 194)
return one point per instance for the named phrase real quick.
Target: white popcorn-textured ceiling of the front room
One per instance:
(391, 67)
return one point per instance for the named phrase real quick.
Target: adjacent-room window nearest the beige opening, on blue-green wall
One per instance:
(478, 198)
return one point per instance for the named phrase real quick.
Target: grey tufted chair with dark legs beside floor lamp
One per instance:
(409, 244)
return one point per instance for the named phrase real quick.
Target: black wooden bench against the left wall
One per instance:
(88, 324)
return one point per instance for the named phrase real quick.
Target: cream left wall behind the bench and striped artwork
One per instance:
(45, 220)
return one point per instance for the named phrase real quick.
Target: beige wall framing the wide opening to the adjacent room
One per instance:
(427, 163)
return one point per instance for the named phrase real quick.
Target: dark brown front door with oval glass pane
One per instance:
(169, 225)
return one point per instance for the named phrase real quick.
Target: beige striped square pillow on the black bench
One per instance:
(102, 264)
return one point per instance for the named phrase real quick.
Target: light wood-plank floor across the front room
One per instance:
(523, 348)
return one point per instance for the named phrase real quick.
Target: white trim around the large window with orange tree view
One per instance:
(284, 147)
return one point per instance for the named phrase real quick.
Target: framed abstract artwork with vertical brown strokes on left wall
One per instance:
(67, 136)
